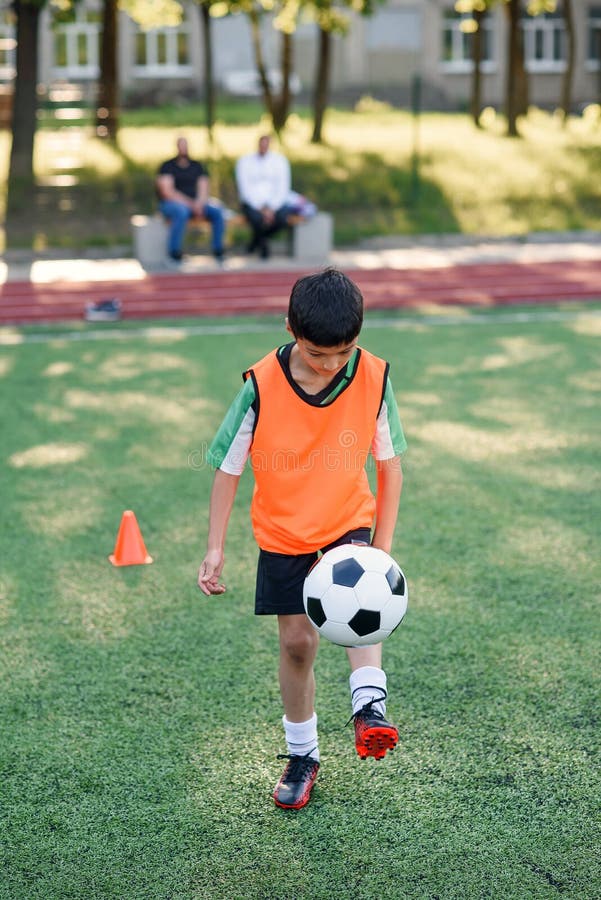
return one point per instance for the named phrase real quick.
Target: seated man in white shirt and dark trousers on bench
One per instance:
(263, 181)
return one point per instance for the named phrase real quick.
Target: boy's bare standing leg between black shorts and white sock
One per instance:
(298, 648)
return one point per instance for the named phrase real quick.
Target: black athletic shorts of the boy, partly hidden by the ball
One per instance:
(280, 577)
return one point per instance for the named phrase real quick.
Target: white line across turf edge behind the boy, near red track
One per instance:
(14, 337)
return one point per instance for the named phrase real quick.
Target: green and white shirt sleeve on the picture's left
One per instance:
(230, 448)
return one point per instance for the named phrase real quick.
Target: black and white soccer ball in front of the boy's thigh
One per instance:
(355, 595)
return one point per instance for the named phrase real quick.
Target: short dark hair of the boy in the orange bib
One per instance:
(326, 308)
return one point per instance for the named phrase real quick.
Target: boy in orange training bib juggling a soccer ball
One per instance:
(308, 415)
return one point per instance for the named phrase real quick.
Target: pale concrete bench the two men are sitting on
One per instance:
(311, 239)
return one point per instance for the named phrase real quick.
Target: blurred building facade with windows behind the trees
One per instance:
(380, 55)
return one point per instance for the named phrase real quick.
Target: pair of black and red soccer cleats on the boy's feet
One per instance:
(374, 736)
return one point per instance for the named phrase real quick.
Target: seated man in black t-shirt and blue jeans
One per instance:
(183, 189)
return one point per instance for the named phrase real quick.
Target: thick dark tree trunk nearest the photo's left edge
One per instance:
(21, 181)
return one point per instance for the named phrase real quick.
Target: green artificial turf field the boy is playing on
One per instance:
(141, 720)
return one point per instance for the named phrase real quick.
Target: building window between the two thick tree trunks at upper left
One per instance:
(77, 46)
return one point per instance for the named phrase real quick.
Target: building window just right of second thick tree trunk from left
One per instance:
(163, 52)
